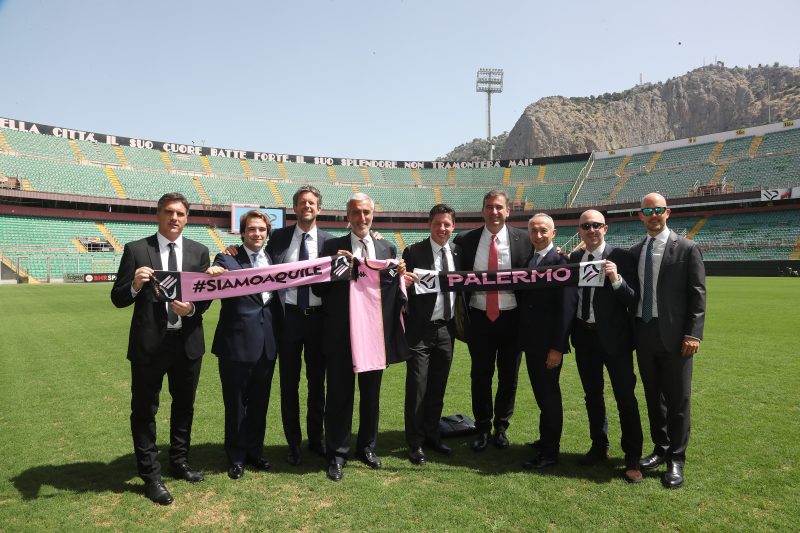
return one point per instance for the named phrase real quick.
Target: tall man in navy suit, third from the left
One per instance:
(301, 330)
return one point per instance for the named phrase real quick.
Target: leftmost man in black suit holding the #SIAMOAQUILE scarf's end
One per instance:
(165, 338)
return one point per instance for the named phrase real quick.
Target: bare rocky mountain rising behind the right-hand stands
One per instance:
(707, 100)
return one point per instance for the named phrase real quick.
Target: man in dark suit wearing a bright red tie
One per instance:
(493, 318)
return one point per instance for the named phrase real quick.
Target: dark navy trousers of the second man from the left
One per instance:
(245, 393)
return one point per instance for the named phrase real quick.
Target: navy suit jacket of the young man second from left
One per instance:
(245, 329)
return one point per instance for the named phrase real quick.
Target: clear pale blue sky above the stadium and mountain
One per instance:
(379, 79)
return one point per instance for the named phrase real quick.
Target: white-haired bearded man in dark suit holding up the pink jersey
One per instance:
(336, 348)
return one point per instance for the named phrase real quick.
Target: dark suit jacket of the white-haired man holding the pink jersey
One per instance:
(336, 296)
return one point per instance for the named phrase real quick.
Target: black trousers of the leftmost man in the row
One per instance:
(146, 380)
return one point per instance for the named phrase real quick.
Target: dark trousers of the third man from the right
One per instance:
(547, 391)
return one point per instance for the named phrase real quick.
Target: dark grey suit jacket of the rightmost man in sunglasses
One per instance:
(680, 290)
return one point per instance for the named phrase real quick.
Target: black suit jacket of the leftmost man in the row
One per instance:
(149, 320)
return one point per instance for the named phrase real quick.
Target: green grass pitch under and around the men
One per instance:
(66, 461)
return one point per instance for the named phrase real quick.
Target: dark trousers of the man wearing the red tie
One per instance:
(493, 343)
